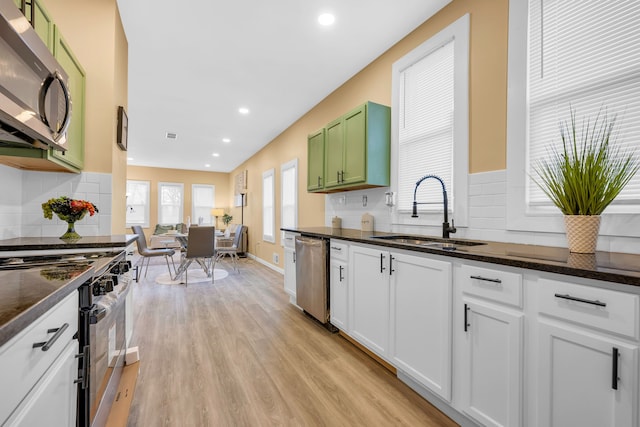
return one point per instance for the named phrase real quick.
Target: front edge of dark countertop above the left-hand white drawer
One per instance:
(16, 325)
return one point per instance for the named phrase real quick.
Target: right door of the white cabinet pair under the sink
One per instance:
(421, 292)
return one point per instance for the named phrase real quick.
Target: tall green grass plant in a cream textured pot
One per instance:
(584, 176)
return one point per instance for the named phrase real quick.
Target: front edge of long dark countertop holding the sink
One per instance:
(615, 276)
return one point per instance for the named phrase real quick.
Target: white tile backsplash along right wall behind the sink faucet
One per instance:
(487, 216)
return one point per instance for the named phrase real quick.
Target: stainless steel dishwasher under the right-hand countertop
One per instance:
(312, 285)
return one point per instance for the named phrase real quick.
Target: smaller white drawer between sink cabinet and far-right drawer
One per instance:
(495, 285)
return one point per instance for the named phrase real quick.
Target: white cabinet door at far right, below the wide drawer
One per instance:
(577, 378)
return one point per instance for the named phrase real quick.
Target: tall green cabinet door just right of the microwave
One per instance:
(74, 156)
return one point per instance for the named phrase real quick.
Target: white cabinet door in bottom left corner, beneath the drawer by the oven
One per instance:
(52, 402)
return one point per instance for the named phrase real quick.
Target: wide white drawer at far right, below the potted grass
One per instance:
(603, 309)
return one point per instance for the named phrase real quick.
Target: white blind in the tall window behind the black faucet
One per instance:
(426, 134)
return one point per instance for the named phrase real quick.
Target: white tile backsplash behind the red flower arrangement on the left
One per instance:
(24, 192)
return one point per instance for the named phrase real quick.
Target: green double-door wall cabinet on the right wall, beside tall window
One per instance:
(357, 149)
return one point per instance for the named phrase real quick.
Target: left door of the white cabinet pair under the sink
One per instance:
(369, 298)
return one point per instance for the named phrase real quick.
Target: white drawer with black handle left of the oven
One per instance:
(22, 365)
